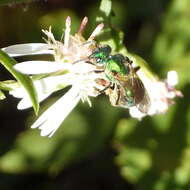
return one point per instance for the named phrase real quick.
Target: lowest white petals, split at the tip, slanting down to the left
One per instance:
(52, 118)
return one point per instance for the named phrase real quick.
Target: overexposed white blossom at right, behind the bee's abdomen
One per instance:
(160, 94)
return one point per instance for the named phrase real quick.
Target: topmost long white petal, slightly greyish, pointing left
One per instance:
(28, 49)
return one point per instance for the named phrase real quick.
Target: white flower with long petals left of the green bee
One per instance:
(68, 68)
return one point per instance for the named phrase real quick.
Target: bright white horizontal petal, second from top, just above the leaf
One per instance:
(38, 67)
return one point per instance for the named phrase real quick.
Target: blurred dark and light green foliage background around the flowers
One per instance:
(101, 147)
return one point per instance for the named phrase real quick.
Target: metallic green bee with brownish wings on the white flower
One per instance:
(123, 85)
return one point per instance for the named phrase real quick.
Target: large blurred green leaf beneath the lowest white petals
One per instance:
(71, 144)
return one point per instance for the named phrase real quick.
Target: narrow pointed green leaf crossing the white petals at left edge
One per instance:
(24, 80)
